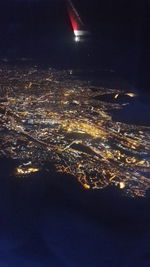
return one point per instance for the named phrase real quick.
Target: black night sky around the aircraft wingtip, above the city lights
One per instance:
(42, 29)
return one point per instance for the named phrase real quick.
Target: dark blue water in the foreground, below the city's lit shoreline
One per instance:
(50, 220)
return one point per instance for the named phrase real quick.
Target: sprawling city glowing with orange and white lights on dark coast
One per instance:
(49, 115)
